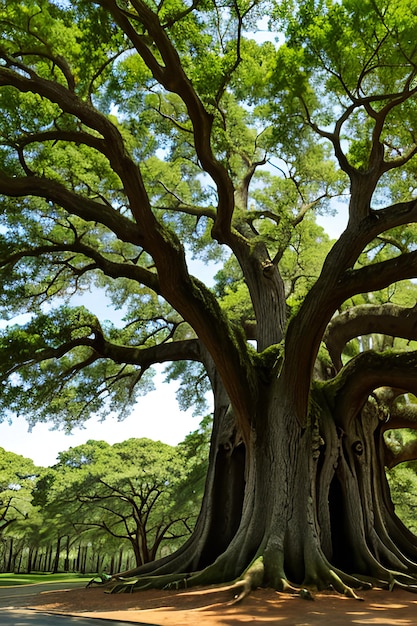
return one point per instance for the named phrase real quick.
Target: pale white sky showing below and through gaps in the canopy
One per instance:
(156, 415)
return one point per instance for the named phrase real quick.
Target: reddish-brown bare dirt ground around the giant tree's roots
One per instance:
(211, 607)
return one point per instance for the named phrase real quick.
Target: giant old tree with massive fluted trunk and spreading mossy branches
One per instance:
(135, 134)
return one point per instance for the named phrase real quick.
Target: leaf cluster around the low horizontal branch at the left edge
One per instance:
(50, 371)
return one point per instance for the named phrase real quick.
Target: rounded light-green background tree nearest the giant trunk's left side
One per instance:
(132, 491)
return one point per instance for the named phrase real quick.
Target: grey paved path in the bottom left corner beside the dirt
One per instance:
(12, 598)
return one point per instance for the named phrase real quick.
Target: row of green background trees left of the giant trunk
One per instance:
(102, 507)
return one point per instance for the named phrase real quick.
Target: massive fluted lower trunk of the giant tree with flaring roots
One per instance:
(312, 501)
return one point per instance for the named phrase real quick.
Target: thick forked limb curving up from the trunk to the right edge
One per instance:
(338, 282)
